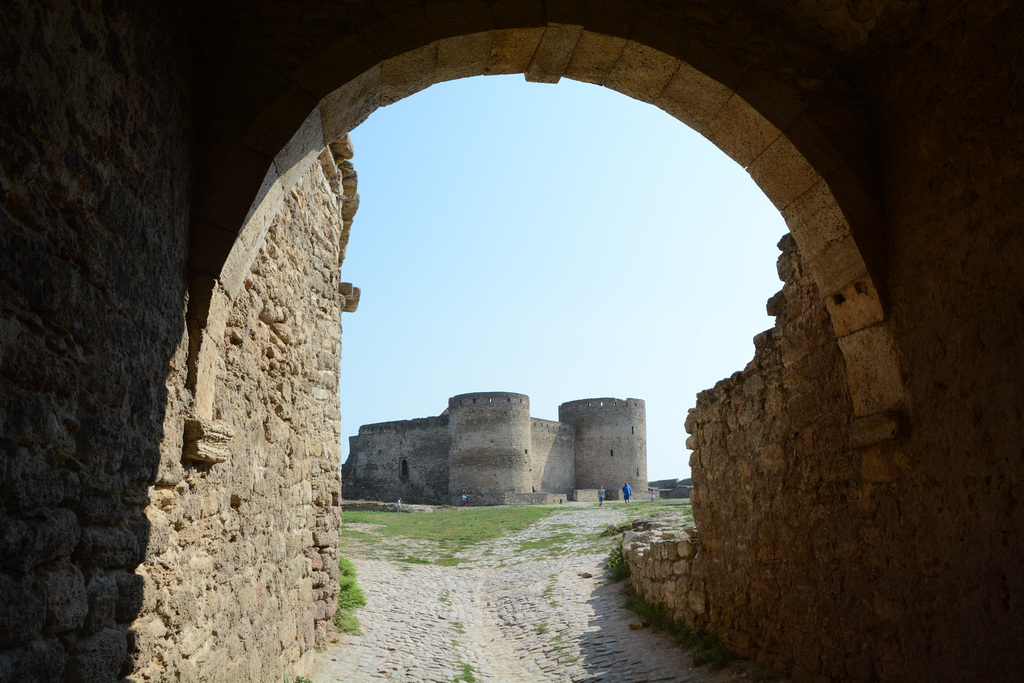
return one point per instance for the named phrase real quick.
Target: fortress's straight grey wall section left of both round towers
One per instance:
(374, 469)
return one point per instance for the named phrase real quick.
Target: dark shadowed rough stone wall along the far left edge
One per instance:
(95, 192)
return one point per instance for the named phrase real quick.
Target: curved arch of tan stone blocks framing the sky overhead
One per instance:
(766, 126)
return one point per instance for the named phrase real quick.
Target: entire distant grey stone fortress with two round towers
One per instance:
(488, 446)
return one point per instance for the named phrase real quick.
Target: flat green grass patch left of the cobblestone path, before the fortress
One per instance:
(445, 532)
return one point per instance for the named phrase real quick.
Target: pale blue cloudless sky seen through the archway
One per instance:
(565, 242)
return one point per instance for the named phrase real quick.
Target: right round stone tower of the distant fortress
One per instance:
(611, 443)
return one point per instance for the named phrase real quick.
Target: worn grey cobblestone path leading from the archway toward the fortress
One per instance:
(509, 615)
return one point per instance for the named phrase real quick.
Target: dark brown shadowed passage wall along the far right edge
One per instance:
(946, 502)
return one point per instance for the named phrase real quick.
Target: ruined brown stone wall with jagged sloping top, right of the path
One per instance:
(783, 538)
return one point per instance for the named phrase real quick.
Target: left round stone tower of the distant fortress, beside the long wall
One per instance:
(491, 439)
